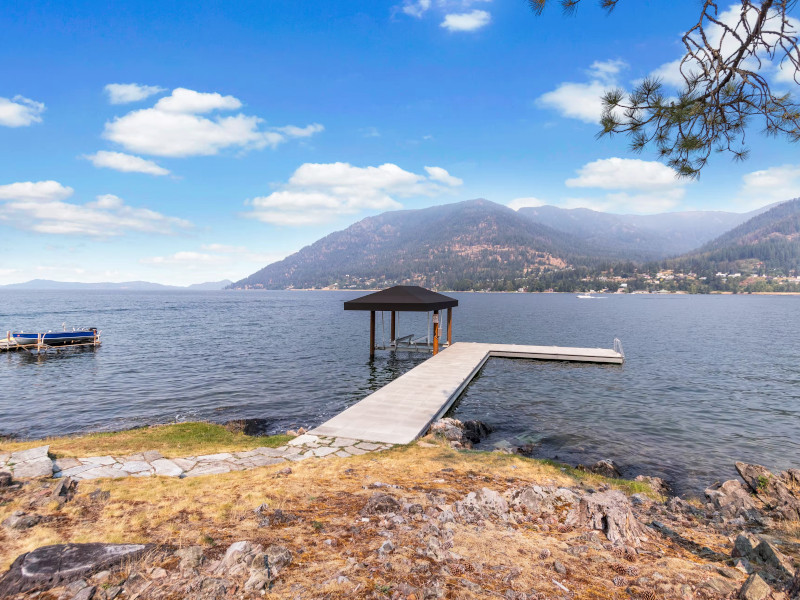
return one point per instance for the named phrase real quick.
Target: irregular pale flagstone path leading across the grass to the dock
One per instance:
(35, 462)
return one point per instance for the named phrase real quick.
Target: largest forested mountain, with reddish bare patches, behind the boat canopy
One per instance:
(454, 246)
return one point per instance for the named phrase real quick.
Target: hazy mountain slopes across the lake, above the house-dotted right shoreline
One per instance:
(478, 244)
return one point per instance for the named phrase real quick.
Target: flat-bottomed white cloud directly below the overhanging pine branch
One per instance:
(625, 173)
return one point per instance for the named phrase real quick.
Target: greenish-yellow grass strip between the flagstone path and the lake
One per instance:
(173, 441)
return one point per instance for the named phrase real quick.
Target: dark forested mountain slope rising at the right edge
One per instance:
(769, 242)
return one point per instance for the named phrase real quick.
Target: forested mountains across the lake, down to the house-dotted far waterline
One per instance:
(480, 245)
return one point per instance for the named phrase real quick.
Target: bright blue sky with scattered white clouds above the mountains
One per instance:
(185, 142)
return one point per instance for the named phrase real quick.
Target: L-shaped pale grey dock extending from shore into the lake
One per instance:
(401, 411)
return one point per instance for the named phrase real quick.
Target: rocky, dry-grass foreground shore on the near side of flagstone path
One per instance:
(420, 522)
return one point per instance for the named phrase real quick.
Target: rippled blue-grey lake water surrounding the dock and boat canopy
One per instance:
(708, 380)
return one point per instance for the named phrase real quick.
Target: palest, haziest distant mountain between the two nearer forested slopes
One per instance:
(640, 237)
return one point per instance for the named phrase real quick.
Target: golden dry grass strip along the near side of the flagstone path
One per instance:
(218, 510)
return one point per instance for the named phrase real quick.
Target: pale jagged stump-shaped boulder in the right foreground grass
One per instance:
(609, 512)
